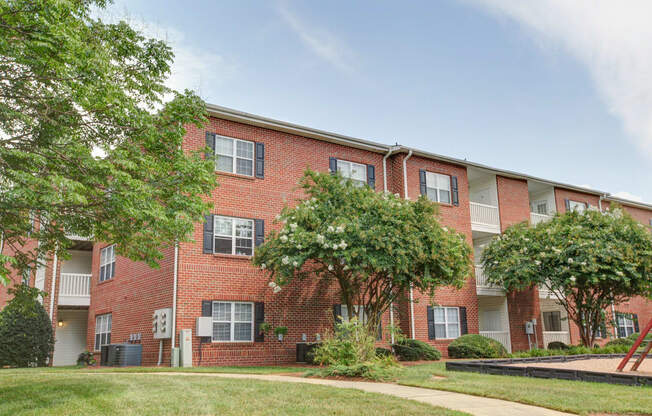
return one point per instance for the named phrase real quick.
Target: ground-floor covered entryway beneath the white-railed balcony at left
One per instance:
(70, 337)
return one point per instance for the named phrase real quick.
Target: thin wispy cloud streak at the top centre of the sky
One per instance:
(318, 40)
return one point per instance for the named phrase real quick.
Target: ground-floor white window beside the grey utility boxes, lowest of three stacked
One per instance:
(233, 322)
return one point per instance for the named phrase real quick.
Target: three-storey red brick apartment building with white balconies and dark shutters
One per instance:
(97, 298)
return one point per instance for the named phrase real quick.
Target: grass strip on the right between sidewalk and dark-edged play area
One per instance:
(570, 396)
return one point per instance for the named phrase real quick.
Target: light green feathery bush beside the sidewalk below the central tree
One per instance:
(350, 352)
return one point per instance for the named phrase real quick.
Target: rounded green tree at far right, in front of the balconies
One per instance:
(588, 260)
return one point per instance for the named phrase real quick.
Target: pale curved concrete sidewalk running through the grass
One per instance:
(475, 405)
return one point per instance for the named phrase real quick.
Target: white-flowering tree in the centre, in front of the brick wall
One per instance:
(374, 245)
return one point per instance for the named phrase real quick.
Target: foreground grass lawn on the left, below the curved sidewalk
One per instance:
(62, 392)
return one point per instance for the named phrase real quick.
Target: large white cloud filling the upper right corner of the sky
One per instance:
(613, 39)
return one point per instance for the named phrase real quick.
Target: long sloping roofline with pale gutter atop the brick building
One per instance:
(284, 126)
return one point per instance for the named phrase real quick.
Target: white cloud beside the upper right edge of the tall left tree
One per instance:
(194, 68)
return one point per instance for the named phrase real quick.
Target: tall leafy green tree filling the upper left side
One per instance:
(90, 137)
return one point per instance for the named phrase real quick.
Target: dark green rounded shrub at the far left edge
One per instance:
(26, 338)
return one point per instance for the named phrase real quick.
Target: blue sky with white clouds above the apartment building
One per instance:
(556, 89)
